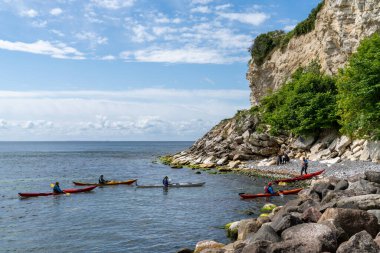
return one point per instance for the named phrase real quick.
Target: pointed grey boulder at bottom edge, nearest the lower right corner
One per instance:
(359, 243)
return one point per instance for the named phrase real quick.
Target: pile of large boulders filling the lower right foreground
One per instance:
(332, 215)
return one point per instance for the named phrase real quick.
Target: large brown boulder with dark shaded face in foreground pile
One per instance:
(351, 221)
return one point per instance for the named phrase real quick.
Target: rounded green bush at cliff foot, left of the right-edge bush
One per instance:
(306, 104)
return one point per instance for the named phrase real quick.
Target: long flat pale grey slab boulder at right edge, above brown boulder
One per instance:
(363, 202)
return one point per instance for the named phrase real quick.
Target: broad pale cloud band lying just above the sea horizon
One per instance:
(142, 114)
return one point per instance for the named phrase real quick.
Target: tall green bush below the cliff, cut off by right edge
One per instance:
(359, 91)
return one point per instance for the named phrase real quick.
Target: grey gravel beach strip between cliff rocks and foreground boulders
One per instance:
(342, 170)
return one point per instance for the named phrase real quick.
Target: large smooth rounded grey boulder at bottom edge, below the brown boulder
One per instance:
(312, 232)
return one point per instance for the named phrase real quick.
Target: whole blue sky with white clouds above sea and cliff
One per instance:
(129, 70)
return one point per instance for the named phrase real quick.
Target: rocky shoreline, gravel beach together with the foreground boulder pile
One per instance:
(348, 192)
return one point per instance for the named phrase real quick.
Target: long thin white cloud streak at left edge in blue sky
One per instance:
(56, 50)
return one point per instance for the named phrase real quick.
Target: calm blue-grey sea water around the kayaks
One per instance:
(118, 218)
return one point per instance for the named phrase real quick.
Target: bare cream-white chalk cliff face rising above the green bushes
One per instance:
(339, 28)
